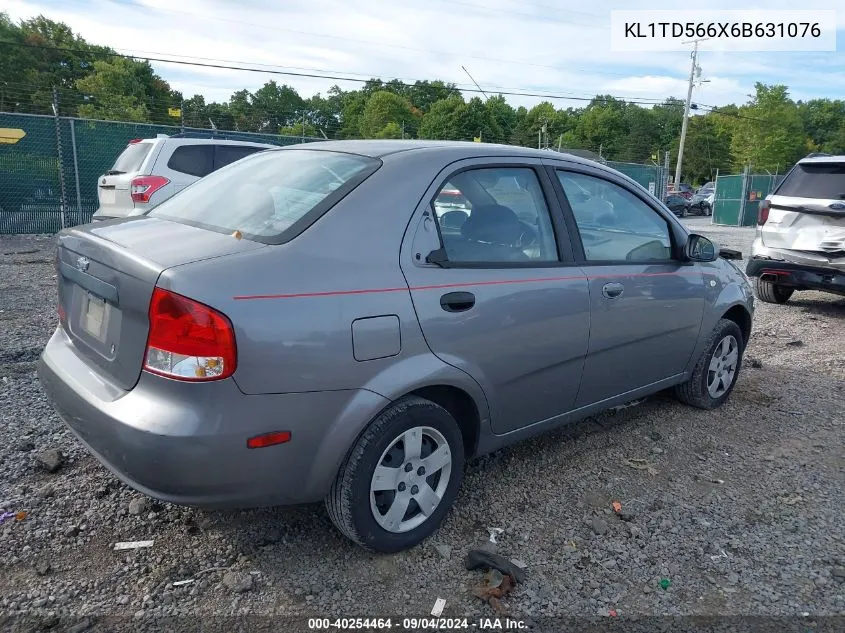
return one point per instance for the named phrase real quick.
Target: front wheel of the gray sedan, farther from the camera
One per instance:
(717, 370)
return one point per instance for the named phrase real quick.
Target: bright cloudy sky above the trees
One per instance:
(550, 46)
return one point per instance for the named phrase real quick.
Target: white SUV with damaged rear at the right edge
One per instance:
(800, 242)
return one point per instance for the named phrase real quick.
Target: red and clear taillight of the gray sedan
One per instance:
(188, 340)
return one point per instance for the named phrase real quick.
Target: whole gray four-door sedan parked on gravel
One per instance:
(350, 321)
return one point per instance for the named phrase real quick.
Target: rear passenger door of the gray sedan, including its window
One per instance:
(491, 274)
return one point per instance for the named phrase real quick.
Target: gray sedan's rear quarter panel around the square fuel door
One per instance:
(293, 305)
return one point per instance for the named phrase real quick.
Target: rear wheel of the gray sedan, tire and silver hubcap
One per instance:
(400, 478)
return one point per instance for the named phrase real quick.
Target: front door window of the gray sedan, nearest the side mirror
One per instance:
(614, 224)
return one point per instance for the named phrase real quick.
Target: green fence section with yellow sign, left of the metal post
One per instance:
(30, 186)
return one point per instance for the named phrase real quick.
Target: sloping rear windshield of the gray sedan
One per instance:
(269, 196)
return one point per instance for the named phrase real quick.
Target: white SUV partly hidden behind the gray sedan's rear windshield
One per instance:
(149, 171)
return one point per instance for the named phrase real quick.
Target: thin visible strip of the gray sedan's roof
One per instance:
(451, 149)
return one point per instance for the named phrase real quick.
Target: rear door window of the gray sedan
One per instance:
(495, 215)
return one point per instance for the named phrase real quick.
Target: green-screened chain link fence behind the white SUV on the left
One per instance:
(49, 165)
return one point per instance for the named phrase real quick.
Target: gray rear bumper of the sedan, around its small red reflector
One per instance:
(186, 443)
